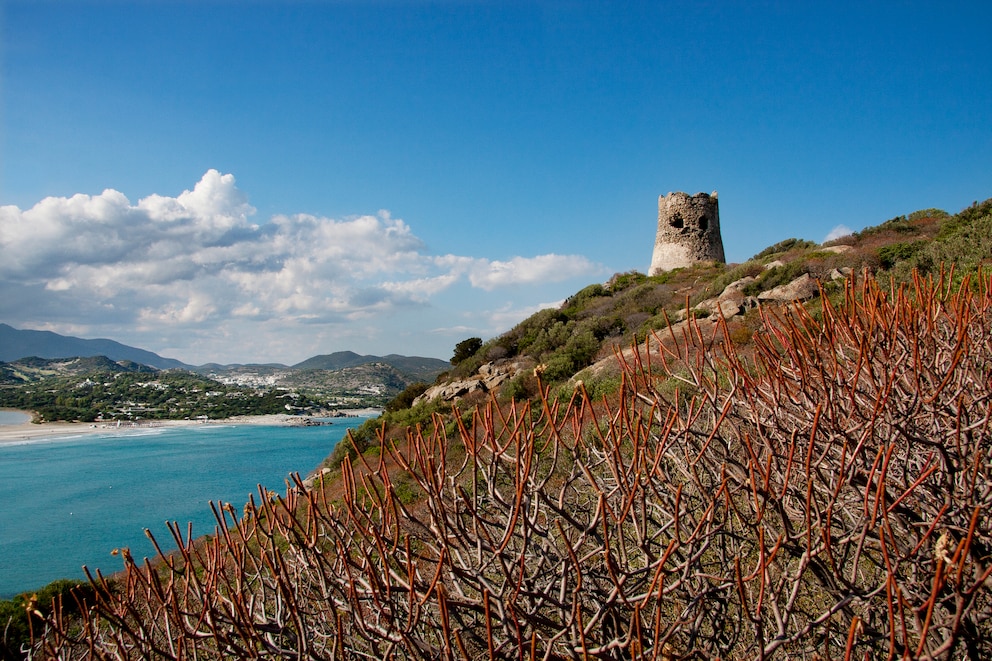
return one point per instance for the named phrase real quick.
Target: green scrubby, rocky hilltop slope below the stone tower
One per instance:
(591, 325)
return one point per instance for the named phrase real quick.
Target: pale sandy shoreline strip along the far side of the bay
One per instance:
(31, 431)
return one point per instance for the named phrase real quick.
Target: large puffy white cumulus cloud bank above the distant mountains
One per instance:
(200, 258)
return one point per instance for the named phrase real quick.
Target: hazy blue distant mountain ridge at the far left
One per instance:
(16, 344)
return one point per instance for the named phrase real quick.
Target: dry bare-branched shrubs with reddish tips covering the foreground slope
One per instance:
(829, 498)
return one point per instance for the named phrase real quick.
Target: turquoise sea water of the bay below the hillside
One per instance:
(67, 502)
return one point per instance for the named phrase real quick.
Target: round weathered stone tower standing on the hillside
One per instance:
(688, 232)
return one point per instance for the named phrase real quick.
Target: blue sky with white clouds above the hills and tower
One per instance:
(266, 181)
